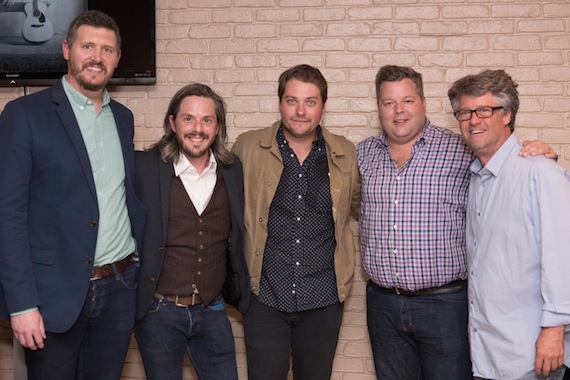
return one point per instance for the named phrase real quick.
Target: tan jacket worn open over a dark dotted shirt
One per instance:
(262, 167)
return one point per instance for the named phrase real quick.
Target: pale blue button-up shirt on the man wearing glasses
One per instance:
(518, 249)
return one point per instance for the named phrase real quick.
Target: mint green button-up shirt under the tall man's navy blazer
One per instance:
(99, 131)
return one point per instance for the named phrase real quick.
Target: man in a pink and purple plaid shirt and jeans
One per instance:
(412, 236)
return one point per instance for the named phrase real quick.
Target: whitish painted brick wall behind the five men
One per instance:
(239, 48)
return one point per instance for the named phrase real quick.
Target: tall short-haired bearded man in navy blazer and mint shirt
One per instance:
(70, 221)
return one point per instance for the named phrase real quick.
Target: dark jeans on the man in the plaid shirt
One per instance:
(419, 337)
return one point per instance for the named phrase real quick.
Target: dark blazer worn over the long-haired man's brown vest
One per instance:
(153, 179)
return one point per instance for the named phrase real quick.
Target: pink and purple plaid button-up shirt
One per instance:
(412, 220)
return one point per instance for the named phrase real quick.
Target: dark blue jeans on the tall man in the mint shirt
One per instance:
(96, 345)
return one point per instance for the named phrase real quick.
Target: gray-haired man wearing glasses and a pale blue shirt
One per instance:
(518, 246)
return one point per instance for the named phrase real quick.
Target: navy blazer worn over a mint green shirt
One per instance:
(48, 206)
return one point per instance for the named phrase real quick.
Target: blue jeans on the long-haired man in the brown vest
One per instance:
(204, 332)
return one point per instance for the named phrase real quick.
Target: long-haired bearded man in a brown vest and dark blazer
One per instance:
(192, 188)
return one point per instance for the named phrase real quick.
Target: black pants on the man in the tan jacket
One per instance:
(271, 336)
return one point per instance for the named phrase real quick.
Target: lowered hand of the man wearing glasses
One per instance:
(549, 350)
